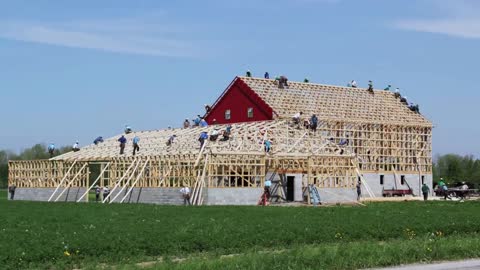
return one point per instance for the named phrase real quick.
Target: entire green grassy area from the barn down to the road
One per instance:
(68, 235)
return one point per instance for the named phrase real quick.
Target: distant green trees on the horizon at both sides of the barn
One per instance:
(451, 167)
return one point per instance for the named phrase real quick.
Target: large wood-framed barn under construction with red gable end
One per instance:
(361, 136)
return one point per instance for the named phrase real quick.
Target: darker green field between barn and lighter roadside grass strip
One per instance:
(64, 235)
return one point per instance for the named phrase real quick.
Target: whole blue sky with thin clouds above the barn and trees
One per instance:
(78, 69)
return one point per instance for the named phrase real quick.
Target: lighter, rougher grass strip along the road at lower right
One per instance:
(347, 255)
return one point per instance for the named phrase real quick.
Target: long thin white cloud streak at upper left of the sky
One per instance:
(131, 39)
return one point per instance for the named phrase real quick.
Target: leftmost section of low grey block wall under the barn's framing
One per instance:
(42, 194)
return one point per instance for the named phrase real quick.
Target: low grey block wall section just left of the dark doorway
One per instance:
(233, 196)
